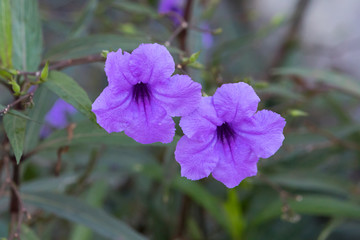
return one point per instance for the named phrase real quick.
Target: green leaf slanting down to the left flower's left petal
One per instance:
(69, 90)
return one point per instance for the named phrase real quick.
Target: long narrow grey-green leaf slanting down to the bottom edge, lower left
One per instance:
(76, 211)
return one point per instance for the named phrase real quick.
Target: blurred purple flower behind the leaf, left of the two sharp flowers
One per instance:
(57, 117)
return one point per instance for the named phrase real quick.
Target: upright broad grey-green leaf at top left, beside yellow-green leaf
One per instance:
(27, 36)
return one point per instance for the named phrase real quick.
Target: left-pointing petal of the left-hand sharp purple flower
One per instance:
(111, 110)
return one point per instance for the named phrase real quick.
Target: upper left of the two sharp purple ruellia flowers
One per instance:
(142, 94)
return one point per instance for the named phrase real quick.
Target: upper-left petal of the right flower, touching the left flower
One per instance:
(201, 123)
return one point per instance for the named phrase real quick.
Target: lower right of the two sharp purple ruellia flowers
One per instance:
(225, 136)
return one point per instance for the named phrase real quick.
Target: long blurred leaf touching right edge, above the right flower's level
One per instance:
(339, 81)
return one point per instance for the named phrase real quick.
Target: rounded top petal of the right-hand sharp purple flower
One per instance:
(234, 101)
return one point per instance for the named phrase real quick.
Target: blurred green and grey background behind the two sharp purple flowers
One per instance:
(301, 57)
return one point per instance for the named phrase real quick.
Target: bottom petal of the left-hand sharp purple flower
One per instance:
(150, 123)
